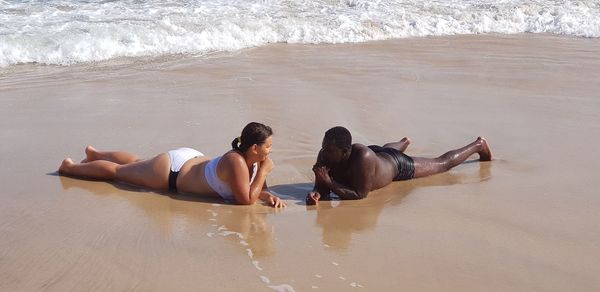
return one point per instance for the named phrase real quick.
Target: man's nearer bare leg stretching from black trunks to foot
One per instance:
(428, 166)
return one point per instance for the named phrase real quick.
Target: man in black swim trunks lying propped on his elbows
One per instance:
(351, 171)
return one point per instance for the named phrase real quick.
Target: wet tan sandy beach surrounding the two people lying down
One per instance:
(526, 221)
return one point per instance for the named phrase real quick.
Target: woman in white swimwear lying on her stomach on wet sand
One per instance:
(240, 174)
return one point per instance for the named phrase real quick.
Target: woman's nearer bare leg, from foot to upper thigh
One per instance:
(152, 173)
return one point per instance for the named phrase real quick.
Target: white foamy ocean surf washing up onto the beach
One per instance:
(65, 32)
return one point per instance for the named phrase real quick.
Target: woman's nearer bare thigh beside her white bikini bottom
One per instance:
(152, 173)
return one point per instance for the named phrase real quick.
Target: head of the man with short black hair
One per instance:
(337, 145)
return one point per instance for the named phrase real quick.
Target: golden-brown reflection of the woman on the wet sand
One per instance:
(244, 227)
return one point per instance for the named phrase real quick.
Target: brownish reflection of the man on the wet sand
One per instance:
(340, 220)
